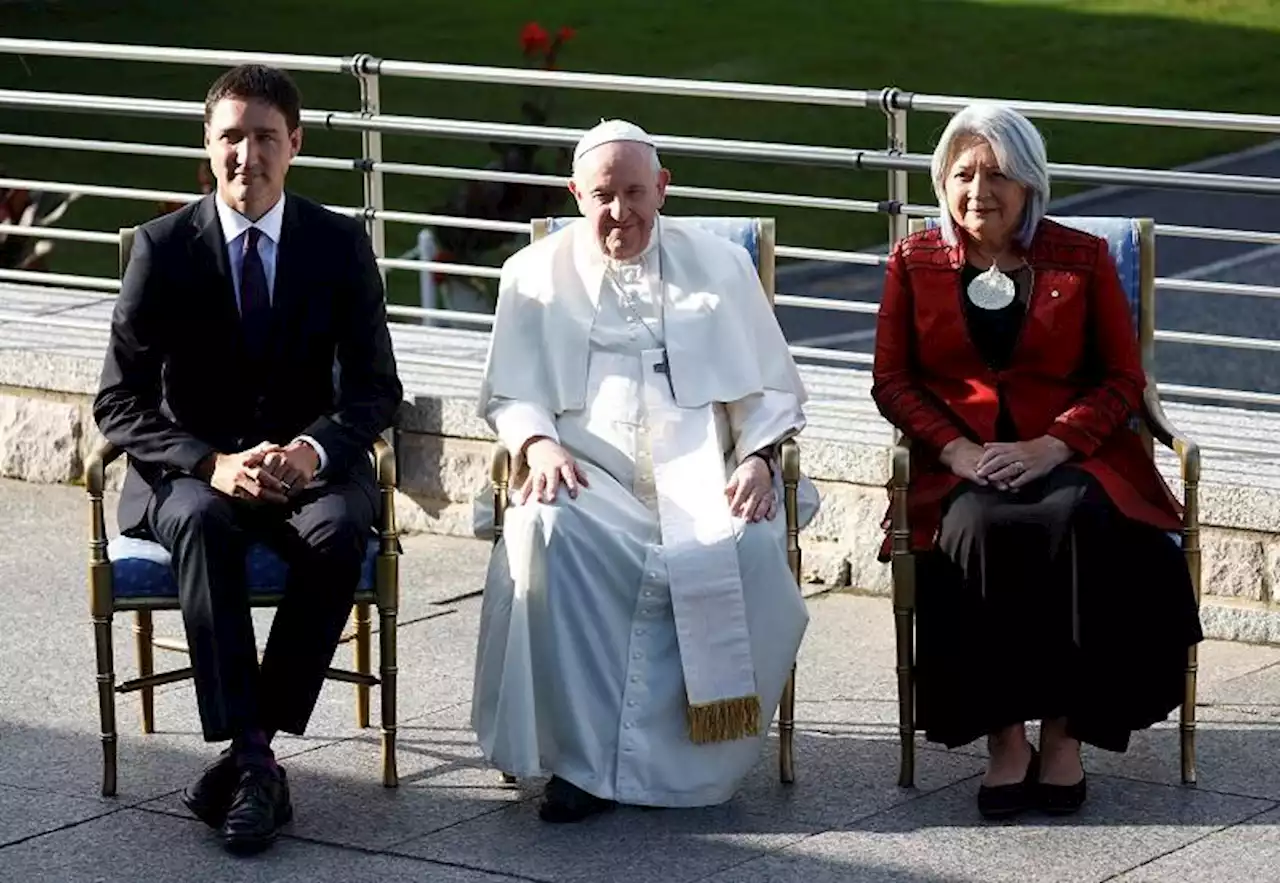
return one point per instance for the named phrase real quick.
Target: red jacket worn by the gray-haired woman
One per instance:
(1076, 372)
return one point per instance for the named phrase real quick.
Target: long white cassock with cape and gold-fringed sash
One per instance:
(609, 617)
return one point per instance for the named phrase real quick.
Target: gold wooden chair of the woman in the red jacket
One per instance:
(1132, 243)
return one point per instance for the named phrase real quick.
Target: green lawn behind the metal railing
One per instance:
(1196, 54)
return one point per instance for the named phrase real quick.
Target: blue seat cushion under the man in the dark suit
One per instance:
(140, 569)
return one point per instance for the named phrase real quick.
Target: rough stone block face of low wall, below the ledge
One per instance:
(47, 434)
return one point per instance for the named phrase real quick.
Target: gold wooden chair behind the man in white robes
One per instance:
(756, 235)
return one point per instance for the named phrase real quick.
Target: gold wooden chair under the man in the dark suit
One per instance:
(127, 574)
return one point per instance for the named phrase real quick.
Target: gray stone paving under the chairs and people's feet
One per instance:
(452, 821)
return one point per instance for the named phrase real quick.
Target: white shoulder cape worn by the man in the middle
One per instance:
(724, 342)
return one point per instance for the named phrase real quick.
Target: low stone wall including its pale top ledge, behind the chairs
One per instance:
(49, 373)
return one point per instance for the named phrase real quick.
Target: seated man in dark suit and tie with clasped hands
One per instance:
(249, 372)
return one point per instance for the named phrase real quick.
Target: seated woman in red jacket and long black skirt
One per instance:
(1050, 589)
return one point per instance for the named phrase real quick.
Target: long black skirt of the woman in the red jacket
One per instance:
(1049, 603)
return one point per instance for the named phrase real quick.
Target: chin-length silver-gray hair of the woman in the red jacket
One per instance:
(1020, 149)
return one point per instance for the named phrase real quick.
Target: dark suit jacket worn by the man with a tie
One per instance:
(177, 383)
